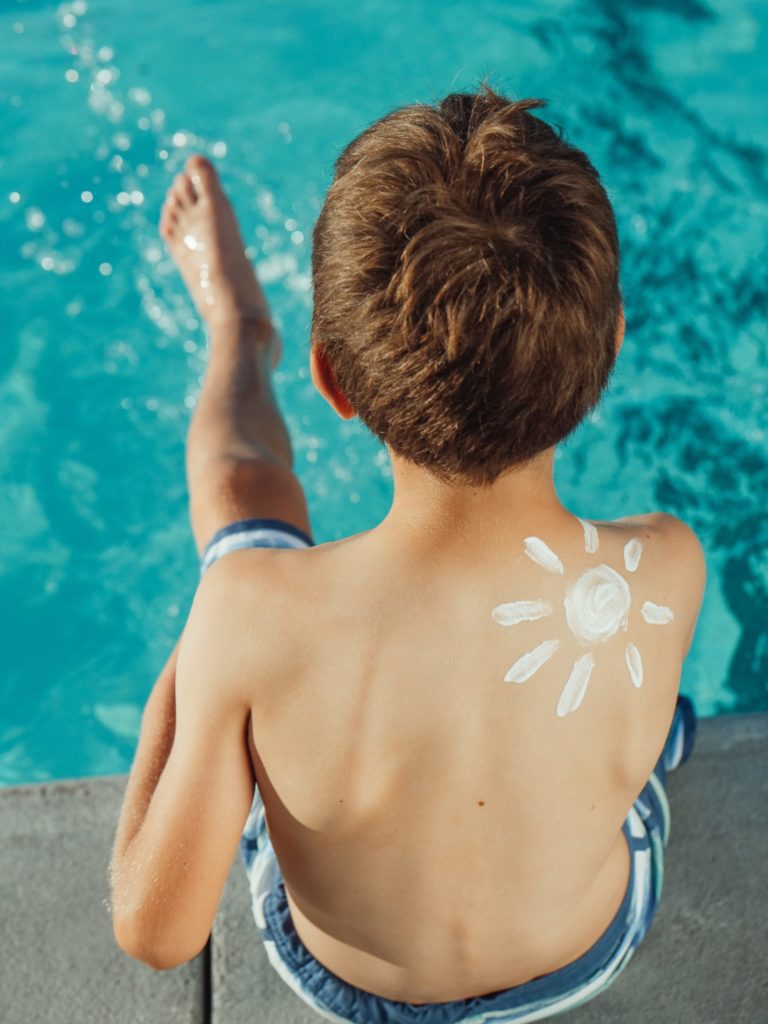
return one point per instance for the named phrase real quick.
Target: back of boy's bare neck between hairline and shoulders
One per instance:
(426, 509)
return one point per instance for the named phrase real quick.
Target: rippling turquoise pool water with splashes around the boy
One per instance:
(102, 355)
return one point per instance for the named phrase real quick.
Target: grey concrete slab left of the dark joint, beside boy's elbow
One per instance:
(60, 962)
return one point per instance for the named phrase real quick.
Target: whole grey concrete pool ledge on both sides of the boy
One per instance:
(704, 962)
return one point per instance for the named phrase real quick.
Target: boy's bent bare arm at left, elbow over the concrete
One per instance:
(190, 791)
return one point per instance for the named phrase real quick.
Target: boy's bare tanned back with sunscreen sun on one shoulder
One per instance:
(444, 833)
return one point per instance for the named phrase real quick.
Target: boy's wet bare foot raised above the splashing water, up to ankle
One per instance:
(199, 227)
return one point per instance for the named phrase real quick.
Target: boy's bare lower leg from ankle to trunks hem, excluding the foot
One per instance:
(239, 454)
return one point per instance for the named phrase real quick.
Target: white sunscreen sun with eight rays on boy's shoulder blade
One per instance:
(598, 606)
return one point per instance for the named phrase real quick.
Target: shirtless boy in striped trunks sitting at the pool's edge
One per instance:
(456, 724)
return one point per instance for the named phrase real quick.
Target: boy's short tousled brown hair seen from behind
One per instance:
(465, 269)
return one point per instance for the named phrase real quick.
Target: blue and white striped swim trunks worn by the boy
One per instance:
(647, 829)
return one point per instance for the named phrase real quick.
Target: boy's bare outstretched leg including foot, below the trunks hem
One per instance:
(239, 455)
